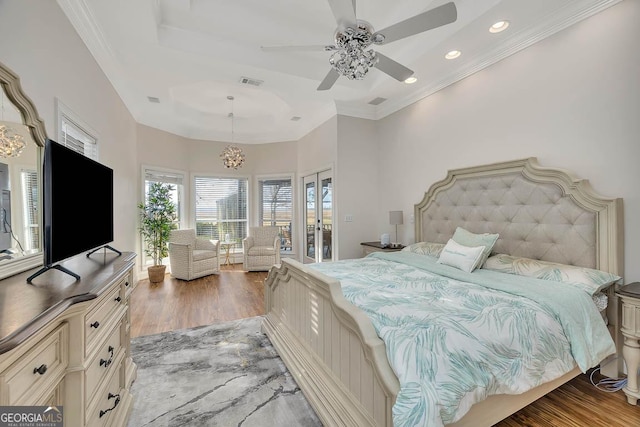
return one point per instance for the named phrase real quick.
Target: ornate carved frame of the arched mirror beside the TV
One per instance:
(10, 83)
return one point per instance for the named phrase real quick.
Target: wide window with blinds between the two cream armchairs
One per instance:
(221, 208)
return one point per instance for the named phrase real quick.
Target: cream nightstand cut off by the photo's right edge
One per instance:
(630, 296)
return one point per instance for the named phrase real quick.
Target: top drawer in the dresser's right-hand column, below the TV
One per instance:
(101, 318)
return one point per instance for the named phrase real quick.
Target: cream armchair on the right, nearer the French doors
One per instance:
(261, 248)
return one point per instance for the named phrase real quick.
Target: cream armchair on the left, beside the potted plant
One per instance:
(192, 257)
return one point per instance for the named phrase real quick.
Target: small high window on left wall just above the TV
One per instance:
(75, 134)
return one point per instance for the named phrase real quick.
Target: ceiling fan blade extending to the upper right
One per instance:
(434, 18)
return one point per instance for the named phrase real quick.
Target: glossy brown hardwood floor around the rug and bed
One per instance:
(235, 294)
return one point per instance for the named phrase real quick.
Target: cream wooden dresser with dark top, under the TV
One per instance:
(66, 342)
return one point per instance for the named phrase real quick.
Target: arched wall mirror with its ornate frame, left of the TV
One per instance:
(22, 136)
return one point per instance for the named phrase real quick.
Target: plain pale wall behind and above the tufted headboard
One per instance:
(572, 101)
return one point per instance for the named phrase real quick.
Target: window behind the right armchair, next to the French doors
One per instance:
(276, 208)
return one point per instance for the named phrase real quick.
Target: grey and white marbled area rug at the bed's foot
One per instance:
(226, 374)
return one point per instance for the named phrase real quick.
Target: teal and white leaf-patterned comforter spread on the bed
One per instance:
(455, 338)
